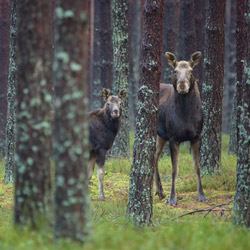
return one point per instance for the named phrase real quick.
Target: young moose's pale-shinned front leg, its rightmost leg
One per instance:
(100, 172)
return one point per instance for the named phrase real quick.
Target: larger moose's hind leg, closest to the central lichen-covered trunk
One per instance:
(160, 144)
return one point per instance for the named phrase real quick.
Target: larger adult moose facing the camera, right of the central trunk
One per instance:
(180, 119)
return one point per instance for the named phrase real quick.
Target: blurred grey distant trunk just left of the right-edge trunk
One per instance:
(229, 69)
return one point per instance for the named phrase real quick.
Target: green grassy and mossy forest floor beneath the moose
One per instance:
(188, 225)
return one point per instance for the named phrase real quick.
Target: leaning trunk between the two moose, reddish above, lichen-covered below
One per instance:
(140, 201)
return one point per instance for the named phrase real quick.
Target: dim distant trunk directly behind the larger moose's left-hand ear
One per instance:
(170, 36)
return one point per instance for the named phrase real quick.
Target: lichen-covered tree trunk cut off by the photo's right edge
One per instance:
(242, 194)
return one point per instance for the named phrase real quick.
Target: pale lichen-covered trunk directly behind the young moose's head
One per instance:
(121, 72)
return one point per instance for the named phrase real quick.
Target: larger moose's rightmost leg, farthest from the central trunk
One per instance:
(195, 148)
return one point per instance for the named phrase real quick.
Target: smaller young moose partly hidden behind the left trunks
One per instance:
(103, 127)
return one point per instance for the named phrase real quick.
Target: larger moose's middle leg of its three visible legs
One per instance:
(174, 151)
